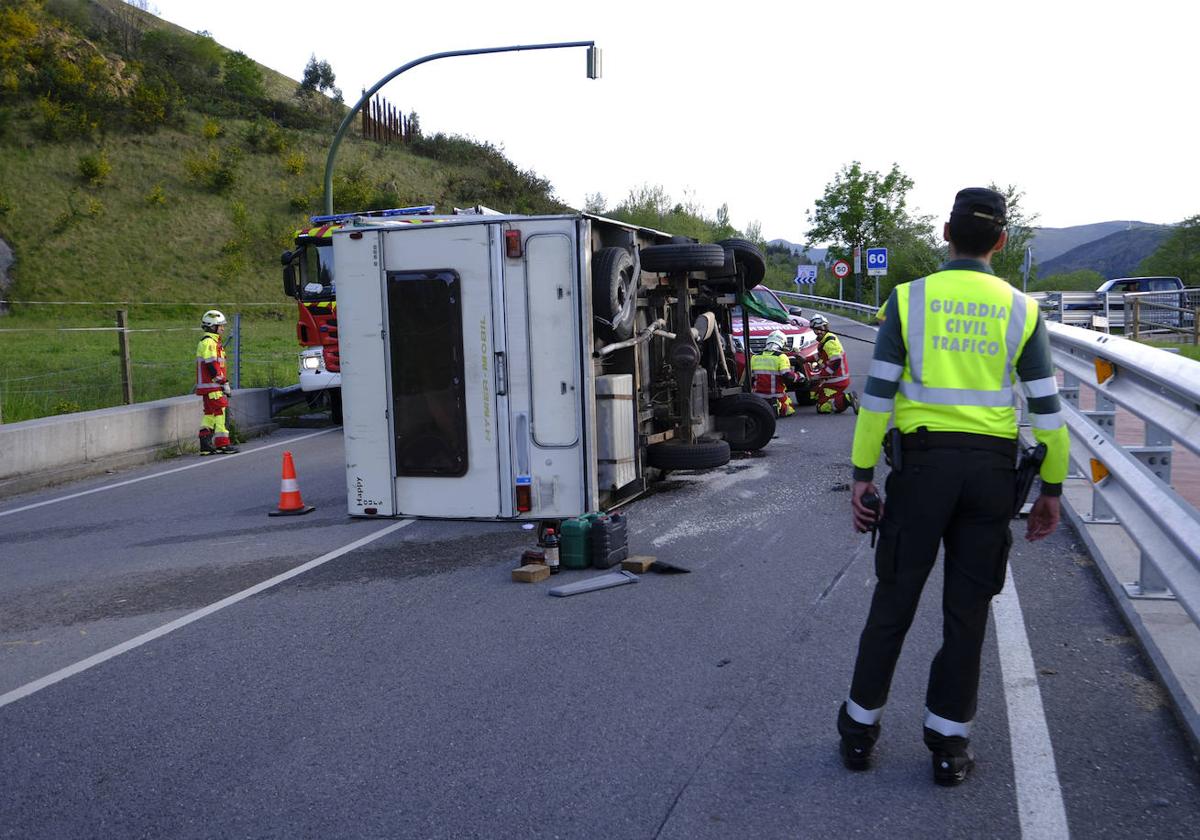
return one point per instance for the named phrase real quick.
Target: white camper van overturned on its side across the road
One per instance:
(532, 368)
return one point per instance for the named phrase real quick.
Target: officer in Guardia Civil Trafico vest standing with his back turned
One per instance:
(947, 359)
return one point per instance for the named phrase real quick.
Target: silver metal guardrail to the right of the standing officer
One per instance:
(1132, 485)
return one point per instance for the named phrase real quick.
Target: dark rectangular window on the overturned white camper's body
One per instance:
(428, 383)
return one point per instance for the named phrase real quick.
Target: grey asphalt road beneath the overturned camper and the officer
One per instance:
(409, 688)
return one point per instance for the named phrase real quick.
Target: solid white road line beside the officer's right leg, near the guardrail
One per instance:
(1040, 806)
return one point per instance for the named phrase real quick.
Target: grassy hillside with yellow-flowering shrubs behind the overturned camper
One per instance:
(194, 201)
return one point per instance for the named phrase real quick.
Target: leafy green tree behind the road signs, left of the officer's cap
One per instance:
(871, 209)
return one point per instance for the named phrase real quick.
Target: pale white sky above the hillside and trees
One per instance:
(1088, 109)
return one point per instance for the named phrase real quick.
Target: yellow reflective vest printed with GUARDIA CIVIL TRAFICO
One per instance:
(963, 332)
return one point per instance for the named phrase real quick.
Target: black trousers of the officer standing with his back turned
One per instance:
(964, 499)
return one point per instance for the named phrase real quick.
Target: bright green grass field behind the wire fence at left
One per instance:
(47, 370)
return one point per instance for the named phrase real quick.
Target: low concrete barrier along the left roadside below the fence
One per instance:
(51, 451)
